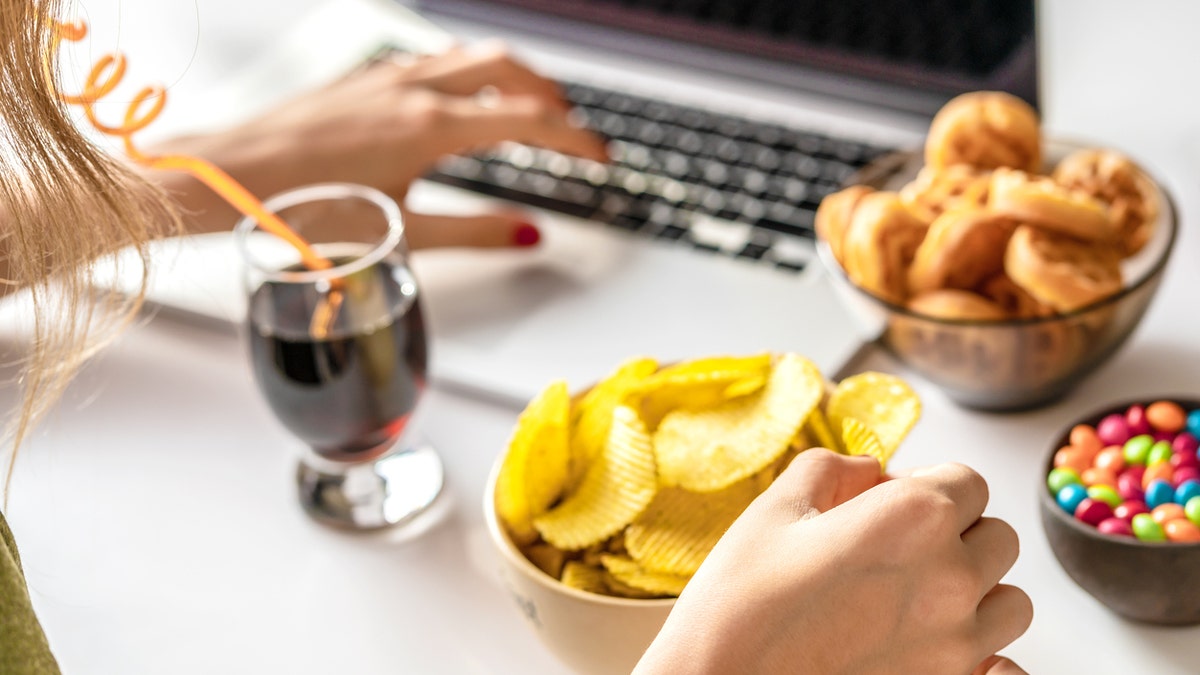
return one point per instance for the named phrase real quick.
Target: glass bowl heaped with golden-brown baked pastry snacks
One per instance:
(1000, 267)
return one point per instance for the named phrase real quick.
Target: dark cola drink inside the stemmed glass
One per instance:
(349, 393)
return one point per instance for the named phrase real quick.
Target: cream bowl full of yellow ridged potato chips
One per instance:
(607, 501)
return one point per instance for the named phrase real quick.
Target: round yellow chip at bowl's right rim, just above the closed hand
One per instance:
(884, 403)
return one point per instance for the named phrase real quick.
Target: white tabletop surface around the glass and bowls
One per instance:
(157, 512)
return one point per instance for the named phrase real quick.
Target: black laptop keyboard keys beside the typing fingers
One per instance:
(711, 182)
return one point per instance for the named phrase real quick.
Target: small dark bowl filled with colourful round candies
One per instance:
(1120, 506)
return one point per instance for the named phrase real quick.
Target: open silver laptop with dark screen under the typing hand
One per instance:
(729, 122)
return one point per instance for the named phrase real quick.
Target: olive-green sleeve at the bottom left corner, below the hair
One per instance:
(23, 647)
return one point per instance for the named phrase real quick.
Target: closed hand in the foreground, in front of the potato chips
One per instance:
(835, 571)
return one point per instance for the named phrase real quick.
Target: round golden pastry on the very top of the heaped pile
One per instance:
(986, 130)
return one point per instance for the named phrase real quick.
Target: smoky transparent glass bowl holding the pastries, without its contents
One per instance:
(1016, 365)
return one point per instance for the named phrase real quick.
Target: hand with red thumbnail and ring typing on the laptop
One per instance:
(386, 126)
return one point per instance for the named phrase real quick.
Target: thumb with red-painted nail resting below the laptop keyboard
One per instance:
(483, 231)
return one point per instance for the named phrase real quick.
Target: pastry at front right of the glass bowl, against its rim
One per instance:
(1063, 272)
